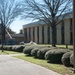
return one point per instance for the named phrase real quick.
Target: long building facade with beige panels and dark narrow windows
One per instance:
(41, 33)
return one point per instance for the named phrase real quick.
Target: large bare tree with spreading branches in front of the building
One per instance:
(49, 11)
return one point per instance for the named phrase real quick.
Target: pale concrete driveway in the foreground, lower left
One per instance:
(13, 66)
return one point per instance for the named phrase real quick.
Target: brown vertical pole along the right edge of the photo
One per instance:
(74, 32)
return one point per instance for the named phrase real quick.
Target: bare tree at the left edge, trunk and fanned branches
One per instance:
(9, 11)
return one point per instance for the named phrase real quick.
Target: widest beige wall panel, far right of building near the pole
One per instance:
(67, 31)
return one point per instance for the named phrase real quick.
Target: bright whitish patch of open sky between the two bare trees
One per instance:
(18, 24)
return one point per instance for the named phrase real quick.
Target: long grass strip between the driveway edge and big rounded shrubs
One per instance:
(55, 67)
